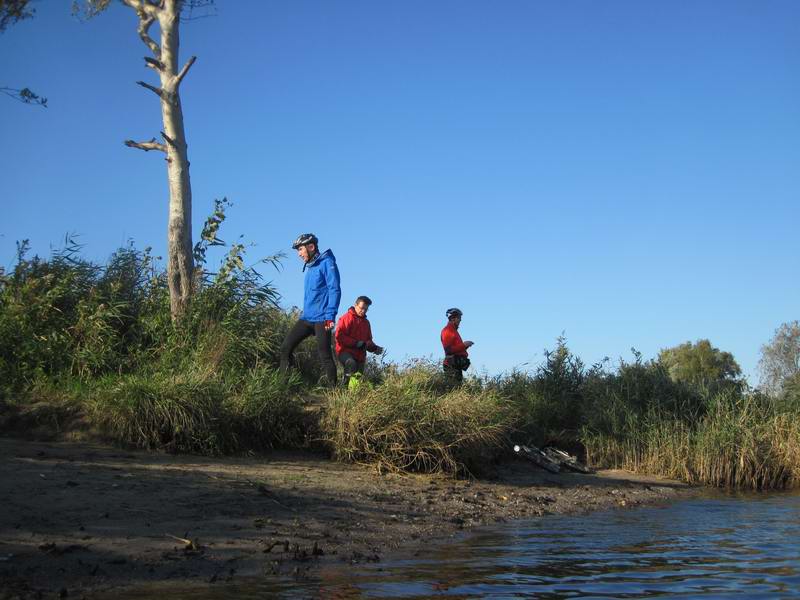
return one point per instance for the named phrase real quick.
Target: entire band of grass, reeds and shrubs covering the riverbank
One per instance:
(92, 347)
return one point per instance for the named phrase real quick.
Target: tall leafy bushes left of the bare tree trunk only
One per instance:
(69, 317)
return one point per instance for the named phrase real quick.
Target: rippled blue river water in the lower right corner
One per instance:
(722, 546)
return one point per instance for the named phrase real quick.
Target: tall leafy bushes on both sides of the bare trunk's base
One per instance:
(68, 317)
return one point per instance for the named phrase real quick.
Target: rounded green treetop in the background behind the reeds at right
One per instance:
(700, 364)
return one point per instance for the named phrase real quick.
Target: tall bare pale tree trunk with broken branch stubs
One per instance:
(180, 263)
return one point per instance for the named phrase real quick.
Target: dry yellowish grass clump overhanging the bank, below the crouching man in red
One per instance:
(413, 421)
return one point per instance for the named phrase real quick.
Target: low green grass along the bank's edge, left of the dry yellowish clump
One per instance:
(198, 413)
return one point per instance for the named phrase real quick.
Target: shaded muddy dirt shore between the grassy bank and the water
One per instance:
(80, 519)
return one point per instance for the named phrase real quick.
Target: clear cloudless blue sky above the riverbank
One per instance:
(625, 172)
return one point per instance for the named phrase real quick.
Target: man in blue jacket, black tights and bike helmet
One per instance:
(320, 304)
